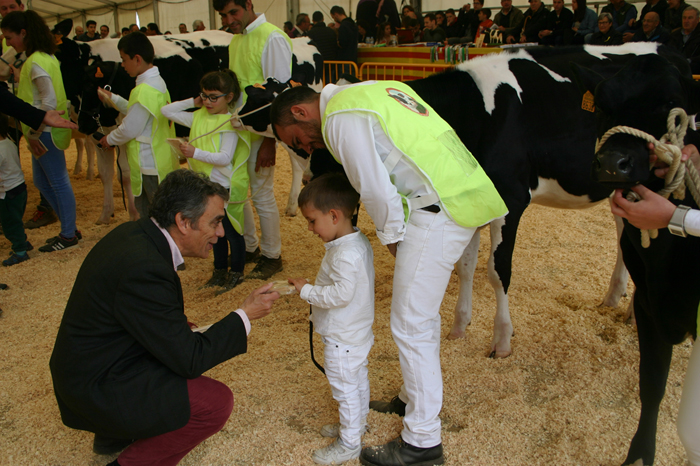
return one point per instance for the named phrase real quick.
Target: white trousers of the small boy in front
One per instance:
(346, 370)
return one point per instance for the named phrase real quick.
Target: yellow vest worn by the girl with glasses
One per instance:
(203, 122)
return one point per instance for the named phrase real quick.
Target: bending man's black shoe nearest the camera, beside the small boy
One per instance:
(399, 453)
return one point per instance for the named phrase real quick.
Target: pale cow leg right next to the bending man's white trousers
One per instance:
(465, 266)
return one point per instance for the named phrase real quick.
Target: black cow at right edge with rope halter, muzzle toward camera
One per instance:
(667, 273)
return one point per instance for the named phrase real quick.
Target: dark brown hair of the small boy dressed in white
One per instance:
(330, 191)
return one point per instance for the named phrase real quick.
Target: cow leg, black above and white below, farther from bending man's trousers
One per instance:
(499, 269)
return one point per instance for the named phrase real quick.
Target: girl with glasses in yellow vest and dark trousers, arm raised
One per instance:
(220, 152)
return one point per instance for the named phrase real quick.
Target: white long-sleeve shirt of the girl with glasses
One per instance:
(176, 112)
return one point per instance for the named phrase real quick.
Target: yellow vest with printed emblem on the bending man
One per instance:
(430, 145)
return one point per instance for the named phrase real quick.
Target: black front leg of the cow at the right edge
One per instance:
(654, 362)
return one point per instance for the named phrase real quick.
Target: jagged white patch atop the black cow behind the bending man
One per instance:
(490, 71)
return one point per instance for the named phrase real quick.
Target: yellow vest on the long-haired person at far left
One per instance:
(49, 63)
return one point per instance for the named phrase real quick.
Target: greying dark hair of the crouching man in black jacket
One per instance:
(185, 192)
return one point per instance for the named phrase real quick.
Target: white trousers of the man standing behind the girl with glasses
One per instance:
(262, 189)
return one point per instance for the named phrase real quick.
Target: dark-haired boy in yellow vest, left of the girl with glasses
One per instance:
(144, 130)
